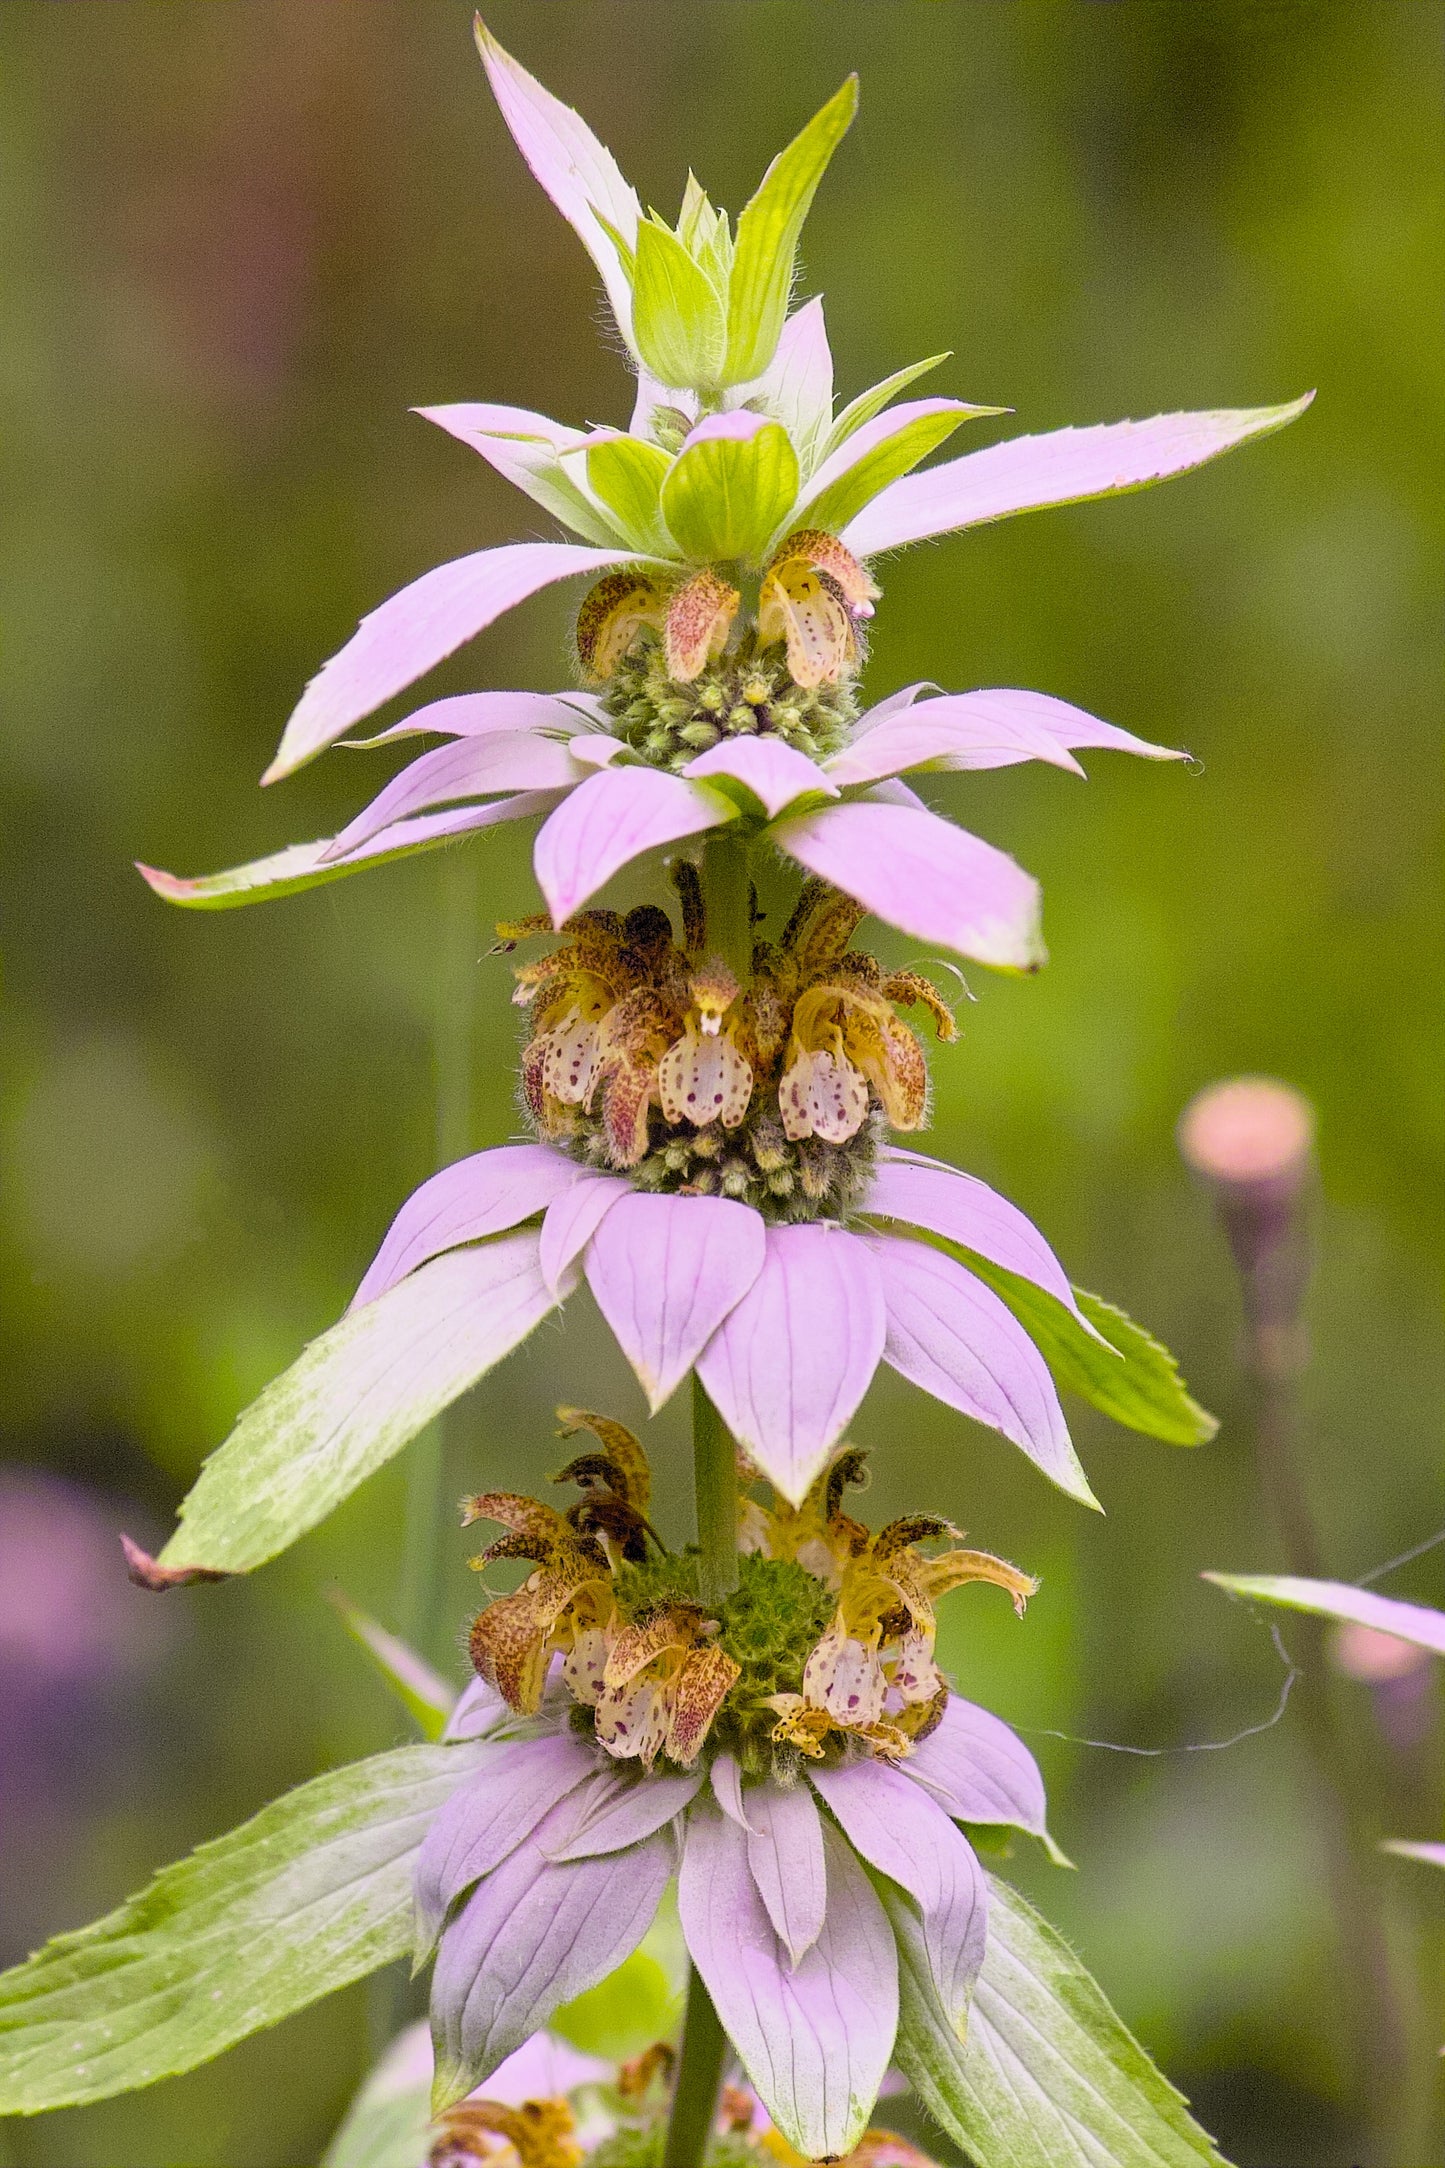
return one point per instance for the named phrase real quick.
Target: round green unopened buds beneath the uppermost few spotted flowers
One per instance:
(744, 695)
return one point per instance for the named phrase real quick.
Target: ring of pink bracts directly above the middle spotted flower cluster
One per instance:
(846, 818)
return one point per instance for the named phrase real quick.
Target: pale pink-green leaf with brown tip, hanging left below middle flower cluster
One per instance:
(354, 1399)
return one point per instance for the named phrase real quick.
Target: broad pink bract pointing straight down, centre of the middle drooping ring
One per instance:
(794, 1360)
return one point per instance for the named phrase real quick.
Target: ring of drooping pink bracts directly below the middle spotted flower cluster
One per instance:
(785, 1326)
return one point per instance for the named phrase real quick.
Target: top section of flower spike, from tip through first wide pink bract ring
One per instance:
(727, 534)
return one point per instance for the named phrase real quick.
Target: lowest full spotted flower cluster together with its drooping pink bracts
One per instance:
(790, 1751)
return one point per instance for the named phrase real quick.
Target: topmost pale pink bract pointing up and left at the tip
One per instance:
(577, 172)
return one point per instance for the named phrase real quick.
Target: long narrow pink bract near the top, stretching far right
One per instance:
(1058, 469)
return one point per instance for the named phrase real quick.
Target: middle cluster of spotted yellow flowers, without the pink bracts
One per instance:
(653, 1057)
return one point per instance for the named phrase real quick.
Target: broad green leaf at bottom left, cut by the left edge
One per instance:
(302, 1900)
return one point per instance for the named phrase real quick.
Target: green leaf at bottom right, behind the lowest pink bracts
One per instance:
(1047, 2074)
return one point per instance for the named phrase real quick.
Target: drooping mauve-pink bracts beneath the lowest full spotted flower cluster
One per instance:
(545, 1868)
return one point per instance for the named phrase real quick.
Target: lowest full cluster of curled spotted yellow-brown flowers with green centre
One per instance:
(824, 1647)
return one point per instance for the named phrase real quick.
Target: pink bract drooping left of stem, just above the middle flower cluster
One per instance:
(608, 823)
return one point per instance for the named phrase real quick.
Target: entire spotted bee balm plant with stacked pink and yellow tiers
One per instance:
(716, 1089)
